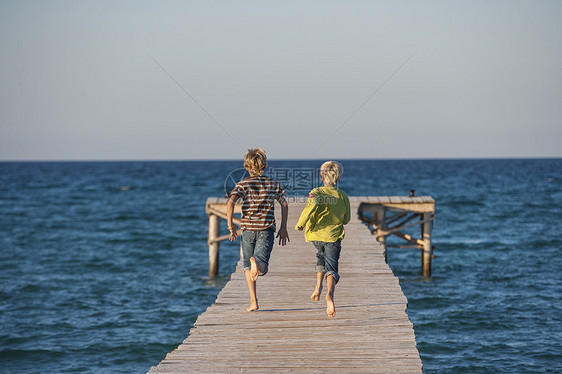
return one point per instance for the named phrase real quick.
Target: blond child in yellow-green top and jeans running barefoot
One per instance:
(326, 211)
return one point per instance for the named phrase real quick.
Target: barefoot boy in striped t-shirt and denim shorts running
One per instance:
(258, 195)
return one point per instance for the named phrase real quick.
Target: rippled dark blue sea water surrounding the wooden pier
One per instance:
(103, 265)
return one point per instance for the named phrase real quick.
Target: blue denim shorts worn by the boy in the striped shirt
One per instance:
(257, 244)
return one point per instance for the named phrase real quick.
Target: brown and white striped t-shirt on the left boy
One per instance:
(258, 198)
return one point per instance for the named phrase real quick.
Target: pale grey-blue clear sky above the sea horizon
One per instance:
(180, 80)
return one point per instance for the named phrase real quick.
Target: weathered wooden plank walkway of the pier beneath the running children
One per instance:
(371, 332)
